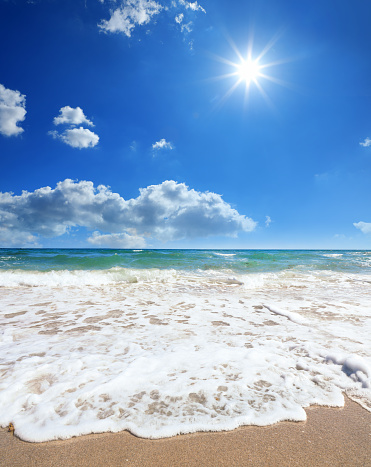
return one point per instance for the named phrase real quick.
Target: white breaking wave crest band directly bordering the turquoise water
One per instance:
(188, 278)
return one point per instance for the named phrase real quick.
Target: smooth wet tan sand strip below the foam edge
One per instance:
(333, 437)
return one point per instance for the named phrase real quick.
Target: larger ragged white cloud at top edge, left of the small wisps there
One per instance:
(129, 14)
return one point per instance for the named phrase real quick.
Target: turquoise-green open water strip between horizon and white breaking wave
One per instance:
(238, 261)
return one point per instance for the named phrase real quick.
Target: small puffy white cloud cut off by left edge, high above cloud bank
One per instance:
(12, 111)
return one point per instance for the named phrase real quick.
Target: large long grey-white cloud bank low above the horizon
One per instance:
(169, 211)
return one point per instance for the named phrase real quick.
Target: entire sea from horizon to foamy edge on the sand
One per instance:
(162, 342)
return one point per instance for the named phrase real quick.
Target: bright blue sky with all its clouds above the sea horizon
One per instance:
(135, 95)
